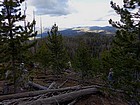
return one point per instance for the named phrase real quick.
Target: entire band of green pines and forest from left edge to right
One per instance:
(89, 54)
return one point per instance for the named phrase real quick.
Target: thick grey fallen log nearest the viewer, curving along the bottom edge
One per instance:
(63, 97)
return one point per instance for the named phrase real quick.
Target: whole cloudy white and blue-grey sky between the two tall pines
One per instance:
(71, 13)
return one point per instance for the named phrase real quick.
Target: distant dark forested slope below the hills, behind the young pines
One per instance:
(97, 43)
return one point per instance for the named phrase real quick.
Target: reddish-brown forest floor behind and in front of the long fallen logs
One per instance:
(69, 79)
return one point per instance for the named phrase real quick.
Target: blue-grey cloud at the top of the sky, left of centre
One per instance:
(51, 7)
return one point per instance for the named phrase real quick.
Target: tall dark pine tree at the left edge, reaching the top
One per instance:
(14, 37)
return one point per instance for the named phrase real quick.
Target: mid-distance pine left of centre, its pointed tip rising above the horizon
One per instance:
(57, 53)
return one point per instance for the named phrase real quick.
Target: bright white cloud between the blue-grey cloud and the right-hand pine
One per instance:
(89, 11)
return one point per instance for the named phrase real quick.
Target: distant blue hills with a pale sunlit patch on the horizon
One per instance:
(82, 30)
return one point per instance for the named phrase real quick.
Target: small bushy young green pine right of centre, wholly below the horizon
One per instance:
(83, 60)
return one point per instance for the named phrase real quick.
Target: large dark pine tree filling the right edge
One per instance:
(125, 53)
